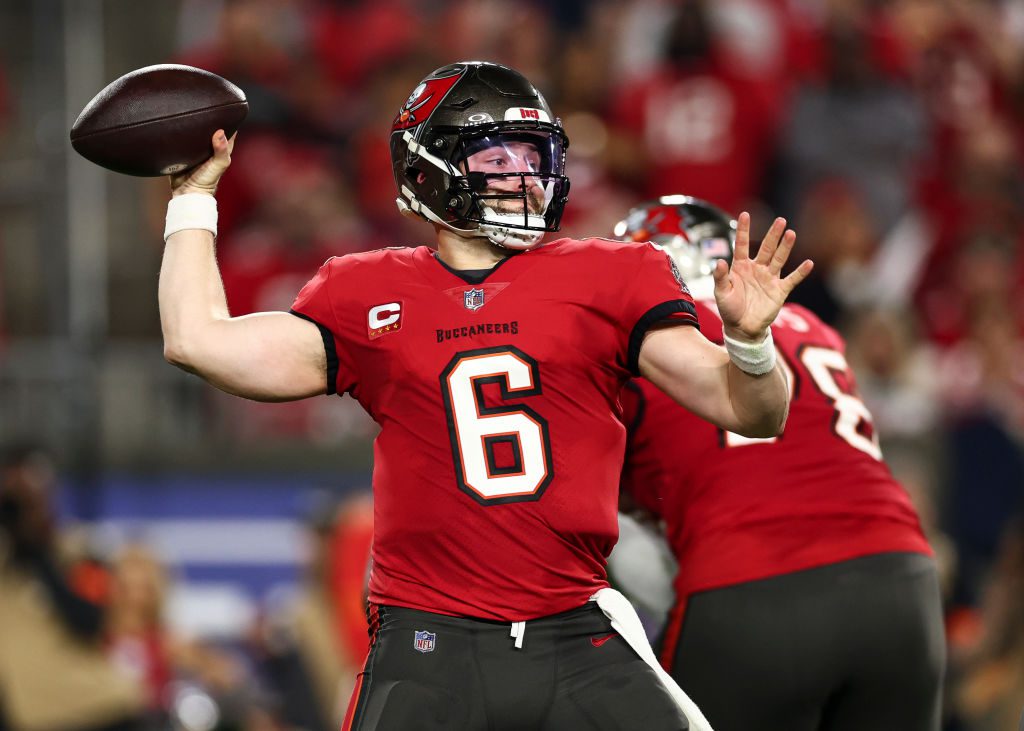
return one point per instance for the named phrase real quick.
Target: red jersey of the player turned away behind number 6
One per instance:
(738, 509)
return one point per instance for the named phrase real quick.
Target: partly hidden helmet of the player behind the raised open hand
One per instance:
(695, 233)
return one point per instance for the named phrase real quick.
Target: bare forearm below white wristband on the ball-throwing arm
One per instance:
(192, 297)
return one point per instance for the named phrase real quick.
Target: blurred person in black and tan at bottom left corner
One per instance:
(55, 675)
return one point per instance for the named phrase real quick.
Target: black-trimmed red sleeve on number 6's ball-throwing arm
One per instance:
(316, 303)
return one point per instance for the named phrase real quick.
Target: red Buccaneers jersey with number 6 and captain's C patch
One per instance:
(496, 472)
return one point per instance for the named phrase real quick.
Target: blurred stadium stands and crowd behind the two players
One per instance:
(209, 552)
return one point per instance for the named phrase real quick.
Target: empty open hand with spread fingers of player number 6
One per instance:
(751, 293)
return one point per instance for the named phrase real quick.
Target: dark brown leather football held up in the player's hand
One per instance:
(158, 120)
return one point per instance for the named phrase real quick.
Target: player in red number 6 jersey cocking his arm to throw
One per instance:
(494, 367)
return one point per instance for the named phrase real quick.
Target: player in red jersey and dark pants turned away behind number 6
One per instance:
(806, 597)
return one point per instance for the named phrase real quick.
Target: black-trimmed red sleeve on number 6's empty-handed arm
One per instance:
(657, 294)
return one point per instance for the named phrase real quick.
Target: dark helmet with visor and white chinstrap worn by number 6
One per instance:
(476, 149)
